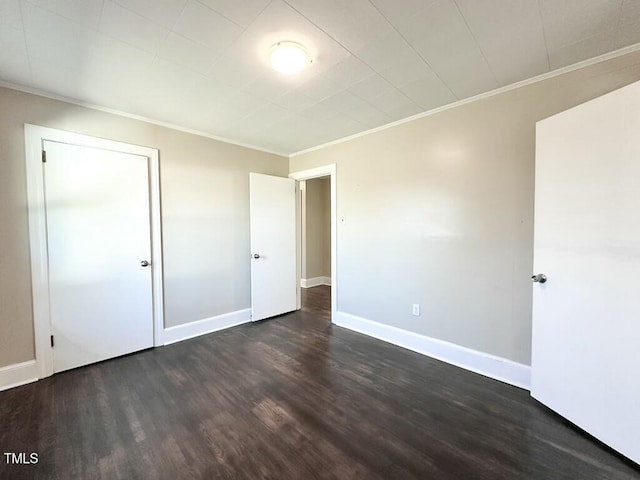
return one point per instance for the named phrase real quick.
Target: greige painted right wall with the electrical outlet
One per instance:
(439, 211)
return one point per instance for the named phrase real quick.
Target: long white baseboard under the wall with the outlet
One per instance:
(498, 368)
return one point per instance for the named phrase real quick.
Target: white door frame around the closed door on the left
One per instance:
(34, 136)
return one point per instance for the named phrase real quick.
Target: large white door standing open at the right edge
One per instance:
(586, 317)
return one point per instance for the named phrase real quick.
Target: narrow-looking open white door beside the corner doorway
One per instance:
(273, 245)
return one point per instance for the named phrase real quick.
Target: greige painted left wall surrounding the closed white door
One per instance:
(205, 214)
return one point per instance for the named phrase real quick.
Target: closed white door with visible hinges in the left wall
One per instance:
(98, 228)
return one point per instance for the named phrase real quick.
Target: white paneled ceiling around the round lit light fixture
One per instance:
(201, 64)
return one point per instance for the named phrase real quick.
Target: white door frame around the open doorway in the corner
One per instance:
(318, 172)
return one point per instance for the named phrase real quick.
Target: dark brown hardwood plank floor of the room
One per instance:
(290, 398)
